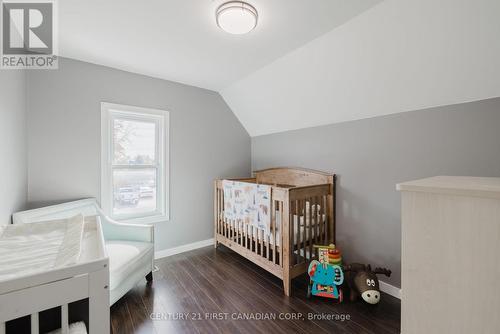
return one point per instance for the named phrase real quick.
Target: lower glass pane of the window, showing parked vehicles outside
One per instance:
(134, 191)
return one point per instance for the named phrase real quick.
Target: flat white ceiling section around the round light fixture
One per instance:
(178, 39)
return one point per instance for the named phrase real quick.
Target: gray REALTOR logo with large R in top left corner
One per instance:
(28, 34)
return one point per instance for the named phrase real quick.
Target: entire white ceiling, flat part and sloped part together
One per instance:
(308, 63)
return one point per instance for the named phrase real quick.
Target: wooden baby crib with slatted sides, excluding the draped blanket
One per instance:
(302, 214)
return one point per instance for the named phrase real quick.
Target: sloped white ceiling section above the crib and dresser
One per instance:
(400, 55)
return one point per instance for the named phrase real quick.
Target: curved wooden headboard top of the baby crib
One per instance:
(293, 176)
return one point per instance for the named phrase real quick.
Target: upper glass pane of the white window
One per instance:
(133, 142)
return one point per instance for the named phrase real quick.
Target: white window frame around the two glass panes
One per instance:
(111, 111)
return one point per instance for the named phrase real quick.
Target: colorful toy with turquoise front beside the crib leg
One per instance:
(324, 276)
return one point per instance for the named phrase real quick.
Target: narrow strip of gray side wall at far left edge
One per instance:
(13, 176)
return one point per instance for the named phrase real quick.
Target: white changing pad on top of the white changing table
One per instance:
(27, 249)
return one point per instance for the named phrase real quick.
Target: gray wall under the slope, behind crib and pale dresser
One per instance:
(370, 156)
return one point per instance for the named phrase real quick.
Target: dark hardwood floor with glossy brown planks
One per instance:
(203, 291)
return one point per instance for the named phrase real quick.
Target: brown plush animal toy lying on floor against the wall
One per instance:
(363, 282)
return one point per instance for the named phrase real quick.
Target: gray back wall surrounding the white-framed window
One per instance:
(206, 141)
